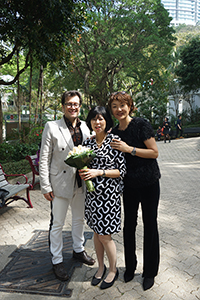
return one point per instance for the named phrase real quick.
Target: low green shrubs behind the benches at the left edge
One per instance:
(16, 151)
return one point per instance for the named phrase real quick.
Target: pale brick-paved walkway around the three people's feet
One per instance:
(179, 228)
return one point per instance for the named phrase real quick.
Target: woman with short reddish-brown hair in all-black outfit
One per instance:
(141, 186)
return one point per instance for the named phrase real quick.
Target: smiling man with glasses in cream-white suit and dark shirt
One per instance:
(61, 184)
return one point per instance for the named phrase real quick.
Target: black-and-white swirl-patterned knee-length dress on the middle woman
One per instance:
(103, 206)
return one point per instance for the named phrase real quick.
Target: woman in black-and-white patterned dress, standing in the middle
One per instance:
(103, 206)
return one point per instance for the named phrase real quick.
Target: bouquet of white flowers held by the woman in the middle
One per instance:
(79, 158)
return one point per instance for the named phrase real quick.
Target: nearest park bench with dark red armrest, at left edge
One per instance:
(14, 189)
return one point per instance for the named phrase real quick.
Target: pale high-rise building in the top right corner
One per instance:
(183, 11)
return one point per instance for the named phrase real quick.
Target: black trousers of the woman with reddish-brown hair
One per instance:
(149, 198)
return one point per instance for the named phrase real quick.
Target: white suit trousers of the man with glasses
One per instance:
(59, 208)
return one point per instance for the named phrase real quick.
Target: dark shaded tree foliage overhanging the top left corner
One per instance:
(40, 29)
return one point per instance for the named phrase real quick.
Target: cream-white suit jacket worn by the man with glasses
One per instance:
(55, 174)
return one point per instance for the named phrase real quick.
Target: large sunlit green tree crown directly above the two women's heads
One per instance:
(120, 42)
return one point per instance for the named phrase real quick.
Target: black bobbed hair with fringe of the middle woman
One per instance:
(104, 112)
